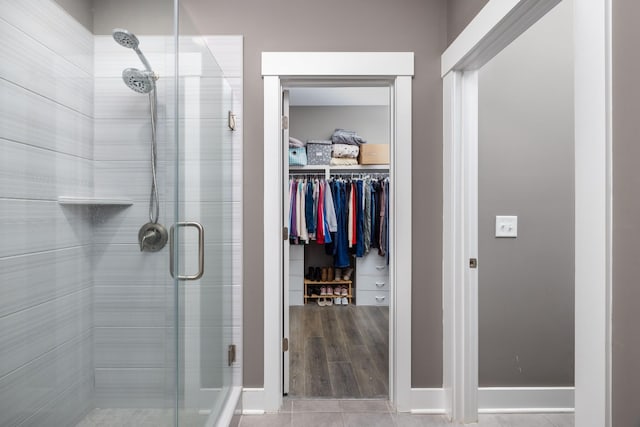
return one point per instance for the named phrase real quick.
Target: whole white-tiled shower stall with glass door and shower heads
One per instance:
(120, 207)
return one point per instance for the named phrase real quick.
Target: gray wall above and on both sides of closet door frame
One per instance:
(359, 25)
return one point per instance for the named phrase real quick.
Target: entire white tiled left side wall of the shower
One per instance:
(46, 109)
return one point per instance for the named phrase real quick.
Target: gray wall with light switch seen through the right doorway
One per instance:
(526, 292)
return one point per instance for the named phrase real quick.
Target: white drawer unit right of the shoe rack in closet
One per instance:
(372, 280)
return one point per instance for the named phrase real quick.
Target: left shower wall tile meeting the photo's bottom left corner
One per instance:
(35, 385)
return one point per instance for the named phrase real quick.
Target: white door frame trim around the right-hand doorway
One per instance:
(479, 42)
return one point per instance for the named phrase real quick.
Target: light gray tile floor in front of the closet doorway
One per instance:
(374, 413)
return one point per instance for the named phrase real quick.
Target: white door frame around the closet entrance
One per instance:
(286, 70)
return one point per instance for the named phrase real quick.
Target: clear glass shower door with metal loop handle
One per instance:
(203, 242)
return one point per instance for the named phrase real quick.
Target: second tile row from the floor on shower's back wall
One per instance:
(133, 347)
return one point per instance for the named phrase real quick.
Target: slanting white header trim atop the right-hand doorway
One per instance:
(494, 28)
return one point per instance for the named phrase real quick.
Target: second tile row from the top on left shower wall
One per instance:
(39, 69)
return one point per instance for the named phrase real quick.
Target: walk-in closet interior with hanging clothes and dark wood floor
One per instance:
(337, 197)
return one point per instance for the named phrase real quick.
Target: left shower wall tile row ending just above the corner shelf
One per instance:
(33, 173)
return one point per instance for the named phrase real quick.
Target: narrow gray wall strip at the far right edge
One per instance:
(626, 213)
